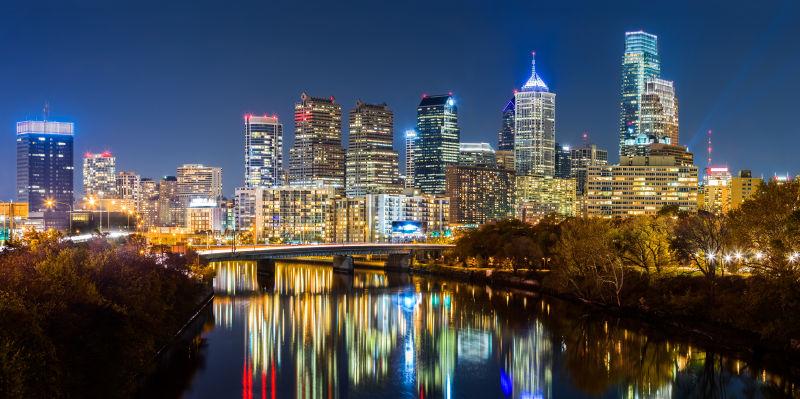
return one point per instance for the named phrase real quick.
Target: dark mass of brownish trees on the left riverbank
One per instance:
(86, 320)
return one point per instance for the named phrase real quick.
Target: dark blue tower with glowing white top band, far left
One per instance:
(45, 164)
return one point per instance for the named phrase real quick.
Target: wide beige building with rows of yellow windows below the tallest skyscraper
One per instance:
(641, 186)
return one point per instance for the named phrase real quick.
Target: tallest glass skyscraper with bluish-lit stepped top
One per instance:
(639, 63)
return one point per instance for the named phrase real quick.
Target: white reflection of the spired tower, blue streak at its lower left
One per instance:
(528, 371)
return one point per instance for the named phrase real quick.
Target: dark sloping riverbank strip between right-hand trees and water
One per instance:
(719, 336)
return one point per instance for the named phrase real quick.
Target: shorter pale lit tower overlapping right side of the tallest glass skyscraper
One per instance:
(659, 110)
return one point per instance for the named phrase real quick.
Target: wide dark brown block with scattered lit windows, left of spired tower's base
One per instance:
(479, 194)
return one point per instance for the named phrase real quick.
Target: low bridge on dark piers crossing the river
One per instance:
(399, 256)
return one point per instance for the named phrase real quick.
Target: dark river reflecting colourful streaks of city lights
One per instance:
(307, 332)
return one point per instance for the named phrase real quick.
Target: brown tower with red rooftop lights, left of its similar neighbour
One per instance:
(317, 157)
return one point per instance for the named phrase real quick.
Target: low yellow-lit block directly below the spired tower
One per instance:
(539, 196)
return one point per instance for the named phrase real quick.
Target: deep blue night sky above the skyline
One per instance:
(164, 83)
